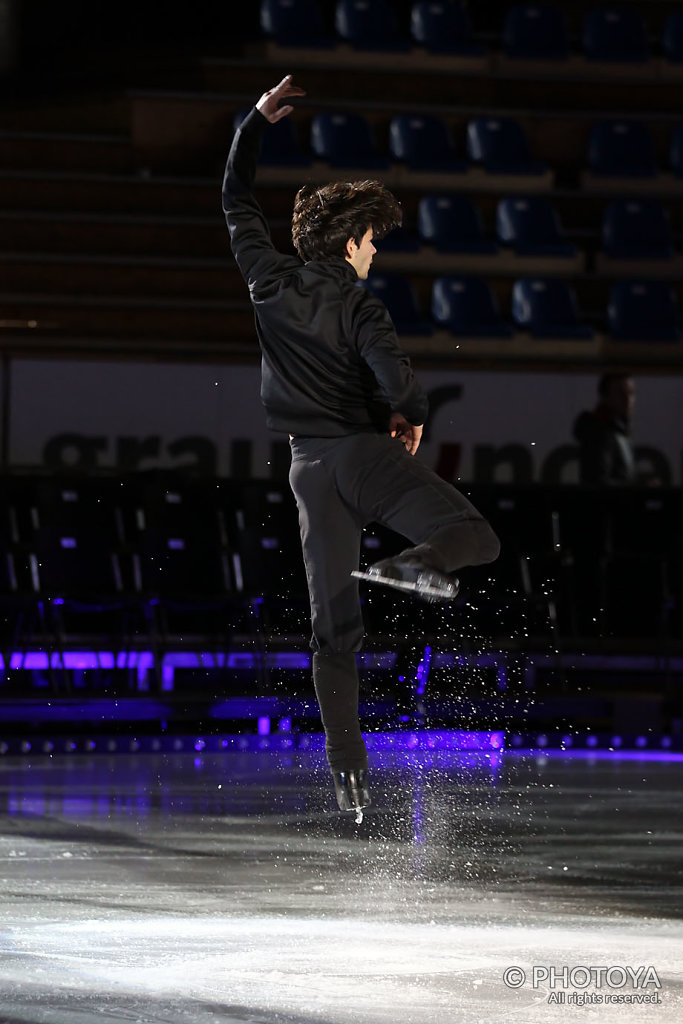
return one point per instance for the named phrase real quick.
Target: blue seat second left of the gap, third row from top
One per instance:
(453, 224)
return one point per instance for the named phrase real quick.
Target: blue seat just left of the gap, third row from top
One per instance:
(532, 227)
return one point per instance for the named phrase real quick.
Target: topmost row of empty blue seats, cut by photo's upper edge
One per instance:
(530, 32)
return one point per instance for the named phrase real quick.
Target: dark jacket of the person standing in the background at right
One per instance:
(606, 452)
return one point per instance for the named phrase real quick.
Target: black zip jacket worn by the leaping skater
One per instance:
(331, 360)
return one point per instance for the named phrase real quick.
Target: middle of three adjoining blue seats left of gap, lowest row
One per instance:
(468, 308)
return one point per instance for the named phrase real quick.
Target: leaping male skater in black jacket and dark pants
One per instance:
(335, 379)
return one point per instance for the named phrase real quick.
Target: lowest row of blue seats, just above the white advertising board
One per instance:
(466, 306)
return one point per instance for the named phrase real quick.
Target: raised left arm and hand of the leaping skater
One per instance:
(250, 236)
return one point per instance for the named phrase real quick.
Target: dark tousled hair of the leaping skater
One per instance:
(326, 218)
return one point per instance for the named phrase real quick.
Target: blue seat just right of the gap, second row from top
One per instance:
(622, 149)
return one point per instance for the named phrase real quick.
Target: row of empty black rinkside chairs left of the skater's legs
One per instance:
(145, 520)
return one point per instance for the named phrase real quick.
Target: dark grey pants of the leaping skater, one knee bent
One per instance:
(341, 485)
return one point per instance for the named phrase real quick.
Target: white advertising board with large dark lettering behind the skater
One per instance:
(502, 426)
